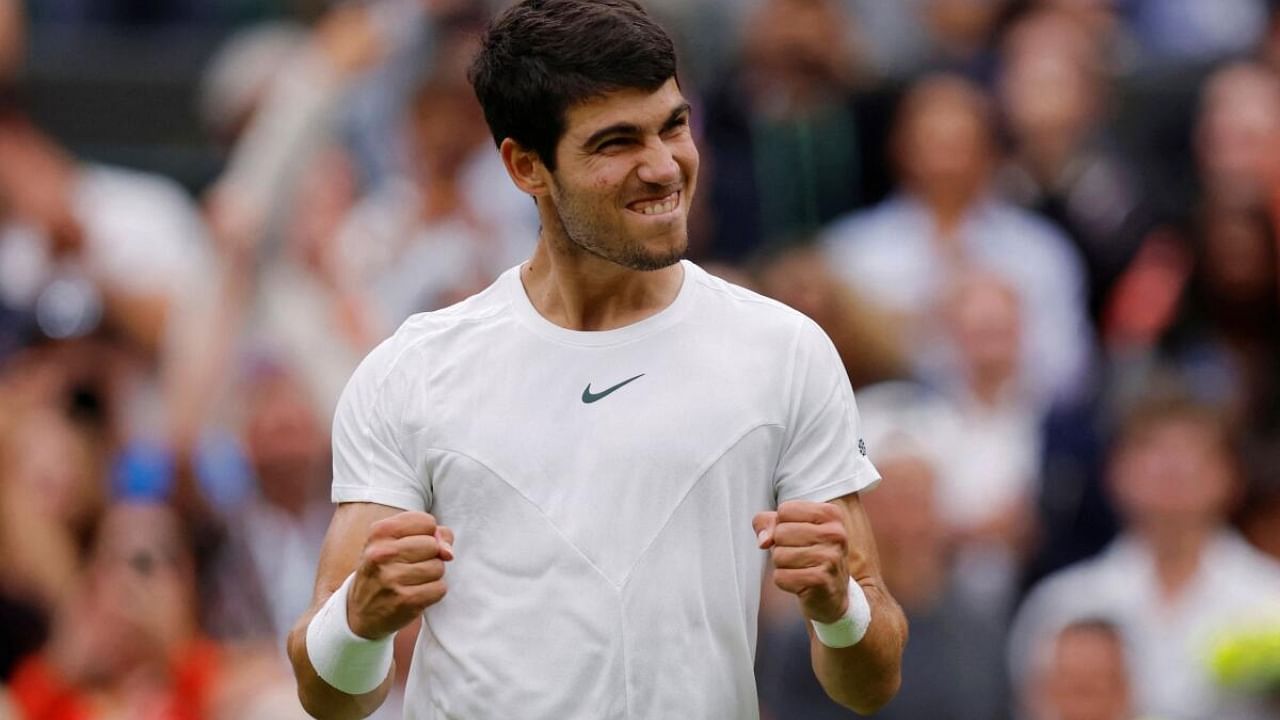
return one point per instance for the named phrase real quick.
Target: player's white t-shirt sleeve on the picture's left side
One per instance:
(369, 464)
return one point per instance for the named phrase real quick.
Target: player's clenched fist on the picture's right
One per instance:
(810, 546)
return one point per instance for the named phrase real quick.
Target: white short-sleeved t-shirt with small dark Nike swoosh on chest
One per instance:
(601, 487)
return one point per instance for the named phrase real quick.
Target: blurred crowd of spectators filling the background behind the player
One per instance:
(1043, 234)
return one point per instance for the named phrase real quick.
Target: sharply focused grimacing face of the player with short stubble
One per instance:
(625, 177)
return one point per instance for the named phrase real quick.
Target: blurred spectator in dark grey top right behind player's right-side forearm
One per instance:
(953, 660)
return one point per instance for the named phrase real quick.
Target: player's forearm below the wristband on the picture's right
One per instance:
(866, 676)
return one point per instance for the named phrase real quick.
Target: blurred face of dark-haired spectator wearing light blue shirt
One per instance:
(944, 139)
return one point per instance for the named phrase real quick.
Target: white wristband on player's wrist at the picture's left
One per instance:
(348, 662)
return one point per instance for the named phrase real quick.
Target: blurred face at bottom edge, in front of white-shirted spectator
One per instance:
(1086, 677)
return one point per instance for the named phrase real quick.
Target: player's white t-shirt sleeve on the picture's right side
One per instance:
(824, 455)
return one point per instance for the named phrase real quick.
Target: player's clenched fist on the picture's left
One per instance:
(401, 575)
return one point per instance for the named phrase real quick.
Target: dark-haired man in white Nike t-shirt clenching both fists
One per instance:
(604, 434)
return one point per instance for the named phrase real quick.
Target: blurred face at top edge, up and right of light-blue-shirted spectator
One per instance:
(1046, 85)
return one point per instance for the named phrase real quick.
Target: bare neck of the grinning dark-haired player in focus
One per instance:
(580, 291)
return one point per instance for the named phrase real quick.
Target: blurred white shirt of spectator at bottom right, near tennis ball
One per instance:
(1169, 641)
